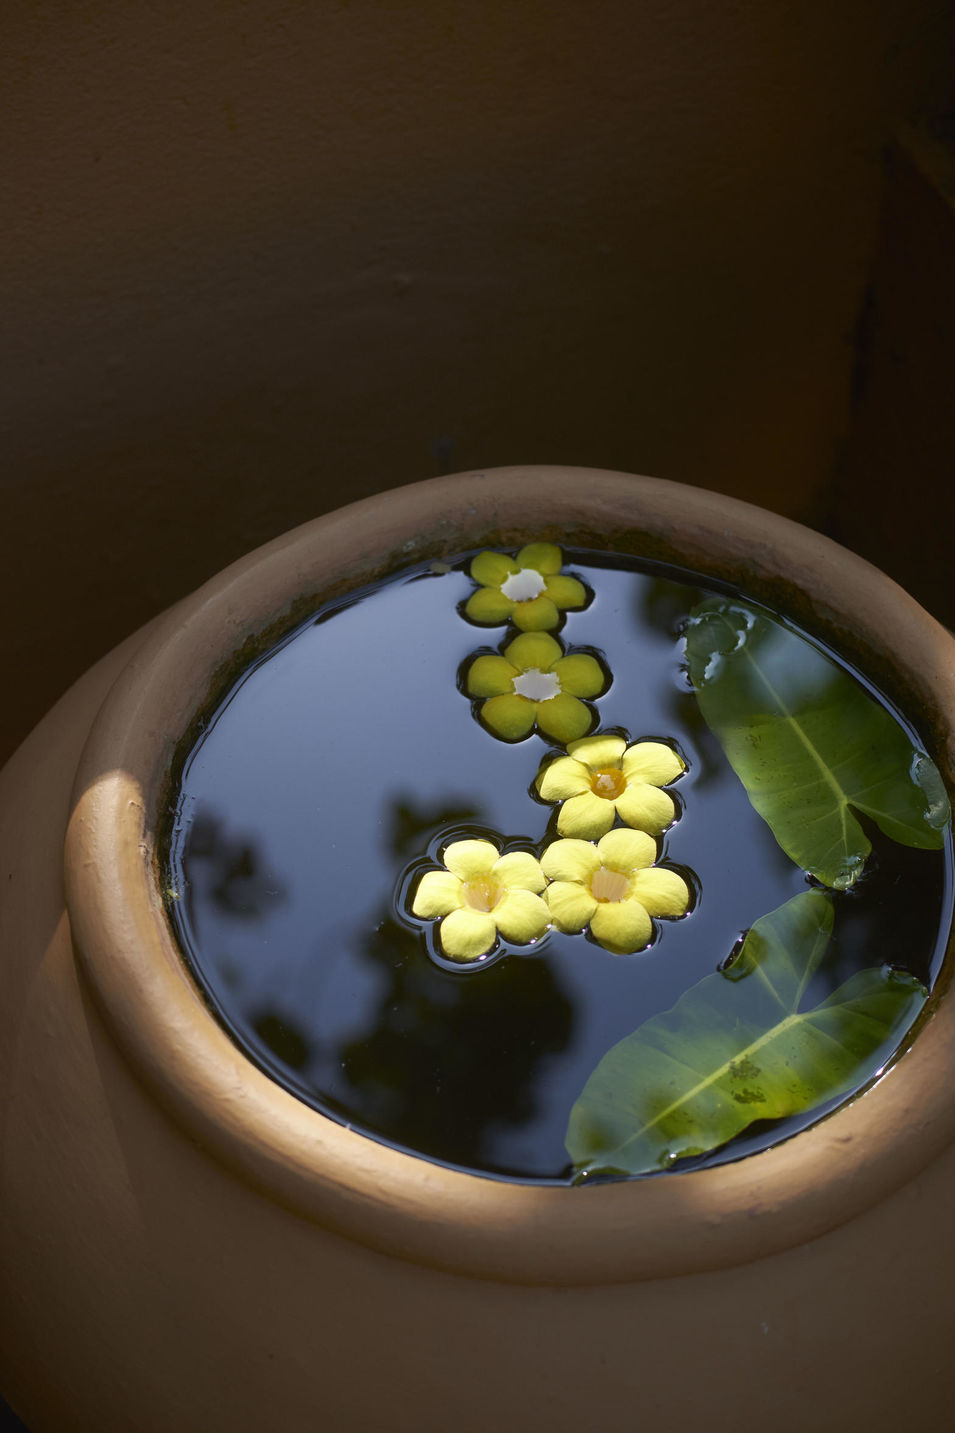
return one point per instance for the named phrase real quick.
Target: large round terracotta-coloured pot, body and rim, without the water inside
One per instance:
(186, 1246)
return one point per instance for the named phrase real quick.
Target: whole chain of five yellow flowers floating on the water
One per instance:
(597, 876)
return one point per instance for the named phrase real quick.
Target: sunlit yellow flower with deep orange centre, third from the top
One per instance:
(603, 776)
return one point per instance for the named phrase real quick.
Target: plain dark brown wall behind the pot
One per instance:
(260, 259)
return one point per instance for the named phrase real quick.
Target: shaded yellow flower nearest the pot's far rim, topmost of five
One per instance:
(528, 591)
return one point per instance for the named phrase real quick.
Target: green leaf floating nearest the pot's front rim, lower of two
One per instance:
(736, 1048)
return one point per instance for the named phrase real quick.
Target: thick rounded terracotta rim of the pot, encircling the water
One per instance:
(396, 1203)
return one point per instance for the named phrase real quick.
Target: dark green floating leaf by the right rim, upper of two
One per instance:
(809, 744)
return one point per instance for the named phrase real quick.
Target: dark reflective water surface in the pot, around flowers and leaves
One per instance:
(349, 756)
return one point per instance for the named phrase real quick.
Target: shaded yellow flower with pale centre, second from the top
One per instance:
(534, 683)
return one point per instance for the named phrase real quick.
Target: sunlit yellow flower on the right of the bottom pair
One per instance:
(613, 888)
